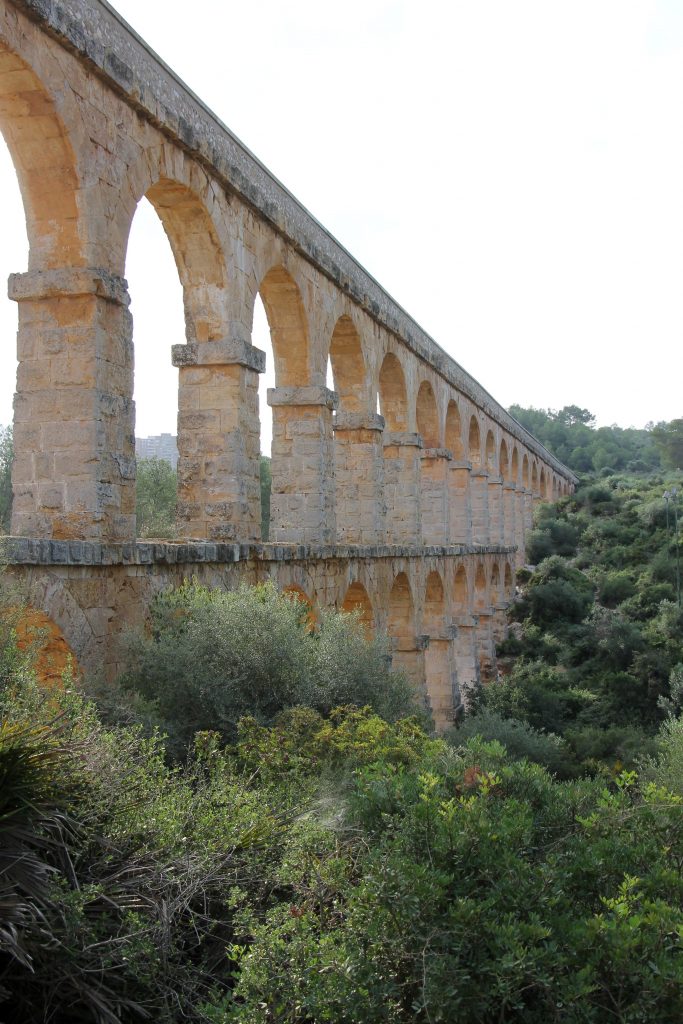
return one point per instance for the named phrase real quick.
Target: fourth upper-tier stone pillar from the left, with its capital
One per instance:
(360, 478)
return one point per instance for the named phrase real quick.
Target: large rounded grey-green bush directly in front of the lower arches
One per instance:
(216, 657)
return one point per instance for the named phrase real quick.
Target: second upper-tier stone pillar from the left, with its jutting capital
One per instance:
(219, 440)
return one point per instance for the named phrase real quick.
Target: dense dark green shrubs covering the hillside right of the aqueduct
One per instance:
(597, 627)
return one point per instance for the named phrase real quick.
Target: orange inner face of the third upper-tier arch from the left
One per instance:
(289, 328)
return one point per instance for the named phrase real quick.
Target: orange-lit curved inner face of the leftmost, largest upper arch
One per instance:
(46, 163)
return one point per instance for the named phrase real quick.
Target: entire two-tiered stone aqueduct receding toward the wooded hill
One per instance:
(416, 514)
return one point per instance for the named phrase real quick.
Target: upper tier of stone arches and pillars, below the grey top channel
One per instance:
(394, 453)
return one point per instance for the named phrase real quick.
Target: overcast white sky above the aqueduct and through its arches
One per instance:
(511, 172)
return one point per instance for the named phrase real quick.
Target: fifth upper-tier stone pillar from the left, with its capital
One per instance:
(402, 488)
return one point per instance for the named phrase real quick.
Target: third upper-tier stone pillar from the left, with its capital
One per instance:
(303, 500)
